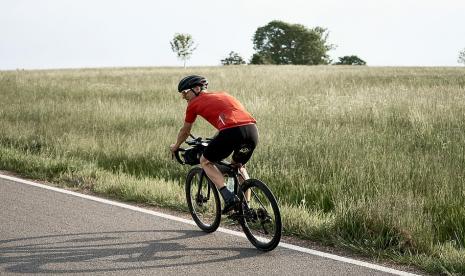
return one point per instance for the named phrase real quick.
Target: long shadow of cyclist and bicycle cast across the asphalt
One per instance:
(114, 251)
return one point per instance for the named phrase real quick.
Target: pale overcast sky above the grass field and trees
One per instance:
(108, 33)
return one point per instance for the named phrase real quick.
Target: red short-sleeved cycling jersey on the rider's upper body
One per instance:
(220, 109)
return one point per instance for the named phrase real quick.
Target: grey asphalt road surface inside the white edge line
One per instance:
(46, 232)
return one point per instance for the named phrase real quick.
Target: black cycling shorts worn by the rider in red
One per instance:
(241, 141)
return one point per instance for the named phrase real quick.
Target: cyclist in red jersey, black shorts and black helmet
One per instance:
(237, 131)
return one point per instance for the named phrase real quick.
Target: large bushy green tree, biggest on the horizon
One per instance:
(279, 42)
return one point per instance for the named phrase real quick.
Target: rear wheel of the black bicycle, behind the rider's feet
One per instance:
(261, 218)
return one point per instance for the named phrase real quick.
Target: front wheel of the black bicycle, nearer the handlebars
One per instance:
(203, 200)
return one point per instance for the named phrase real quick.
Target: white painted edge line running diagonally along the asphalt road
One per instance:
(231, 232)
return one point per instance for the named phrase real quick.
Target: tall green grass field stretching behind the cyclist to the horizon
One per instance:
(370, 159)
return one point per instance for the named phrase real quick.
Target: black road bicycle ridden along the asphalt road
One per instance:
(257, 213)
